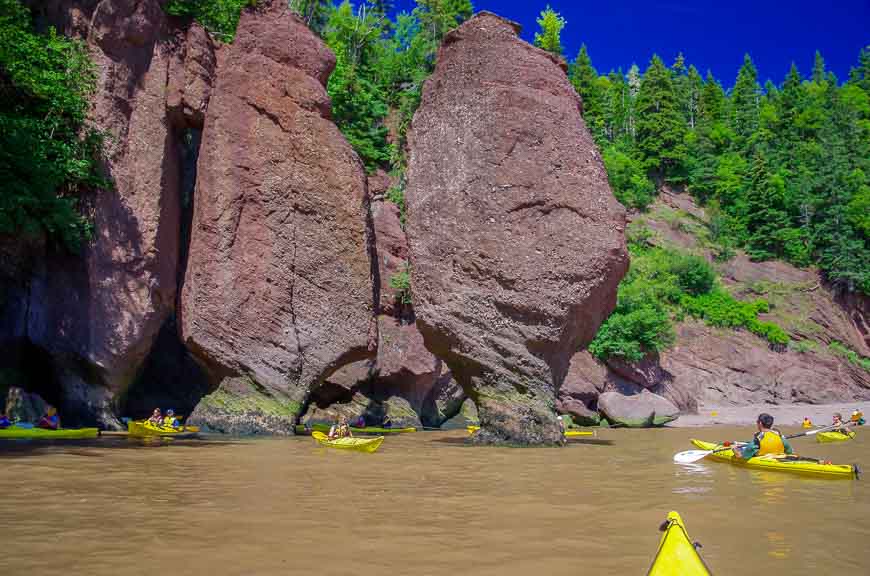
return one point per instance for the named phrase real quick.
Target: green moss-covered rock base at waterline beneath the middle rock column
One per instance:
(241, 406)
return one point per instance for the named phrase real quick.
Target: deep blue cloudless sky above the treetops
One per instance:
(712, 35)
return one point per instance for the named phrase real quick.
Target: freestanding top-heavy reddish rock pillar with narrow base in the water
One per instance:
(516, 239)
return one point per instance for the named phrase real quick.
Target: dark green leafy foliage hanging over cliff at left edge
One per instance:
(49, 154)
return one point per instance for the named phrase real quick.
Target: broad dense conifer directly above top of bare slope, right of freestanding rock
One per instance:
(660, 125)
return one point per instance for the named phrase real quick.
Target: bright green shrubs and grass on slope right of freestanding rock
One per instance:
(664, 285)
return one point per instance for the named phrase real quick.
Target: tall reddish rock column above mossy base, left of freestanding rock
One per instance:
(278, 282)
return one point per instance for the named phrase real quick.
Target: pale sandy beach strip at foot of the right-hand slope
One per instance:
(783, 414)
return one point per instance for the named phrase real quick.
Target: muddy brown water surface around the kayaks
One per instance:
(424, 504)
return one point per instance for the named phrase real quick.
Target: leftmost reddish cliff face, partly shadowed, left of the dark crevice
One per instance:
(104, 309)
